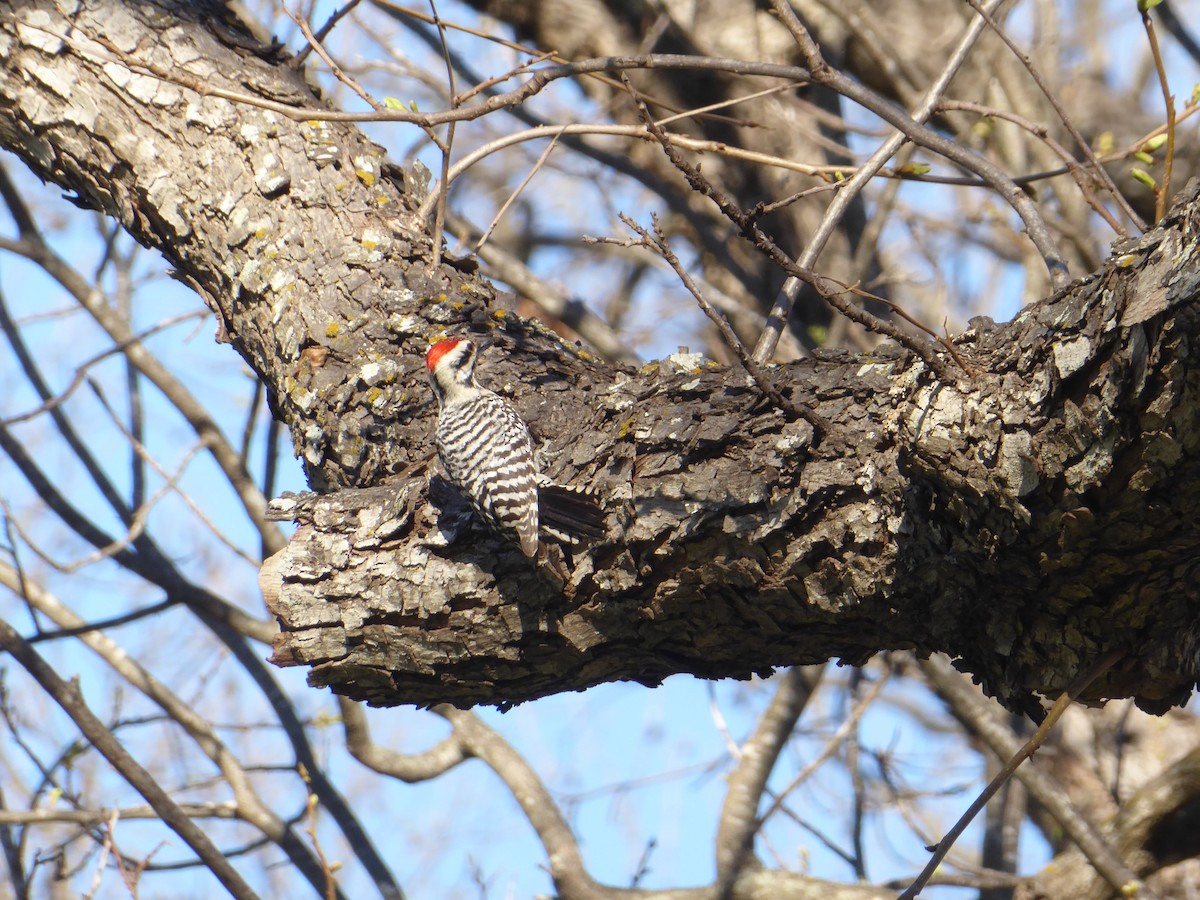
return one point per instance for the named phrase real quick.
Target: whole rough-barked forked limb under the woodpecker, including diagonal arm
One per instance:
(1031, 520)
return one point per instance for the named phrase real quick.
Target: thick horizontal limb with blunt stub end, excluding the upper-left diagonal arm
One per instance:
(1028, 524)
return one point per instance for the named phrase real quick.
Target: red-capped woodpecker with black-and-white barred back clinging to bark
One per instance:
(487, 449)
